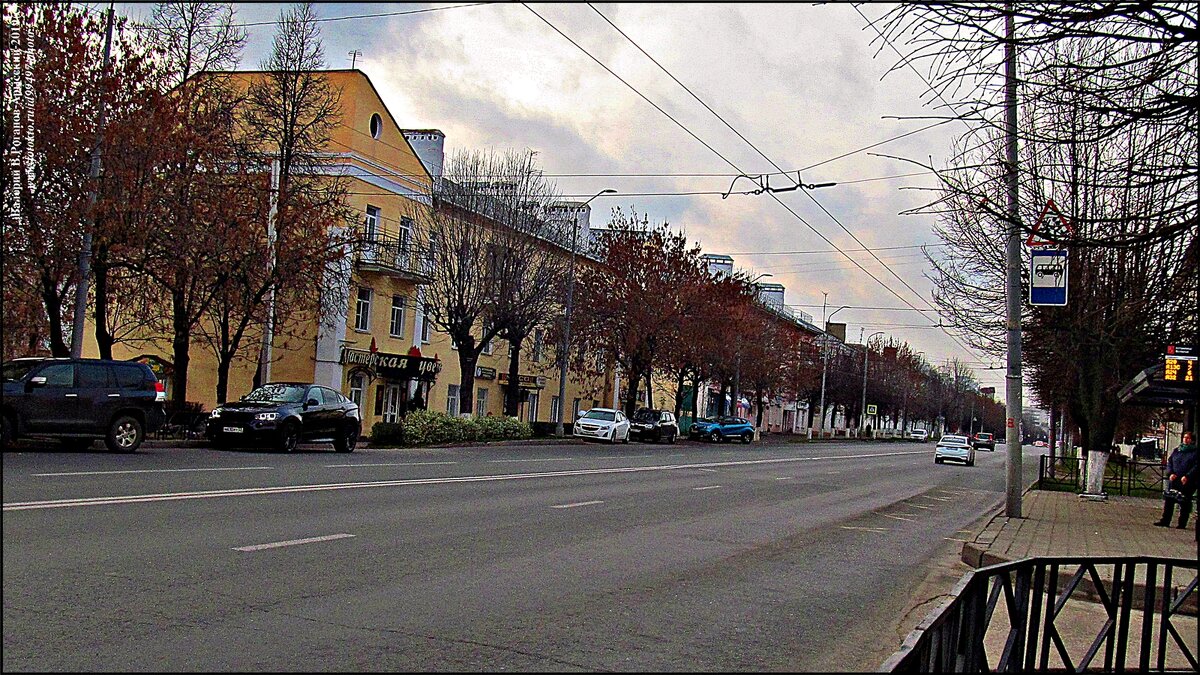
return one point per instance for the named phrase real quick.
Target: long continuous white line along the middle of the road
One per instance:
(326, 487)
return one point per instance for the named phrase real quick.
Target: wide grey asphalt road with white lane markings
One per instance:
(538, 558)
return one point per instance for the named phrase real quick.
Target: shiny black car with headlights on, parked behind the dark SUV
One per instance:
(286, 414)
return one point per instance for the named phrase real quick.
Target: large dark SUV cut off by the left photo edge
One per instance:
(81, 401)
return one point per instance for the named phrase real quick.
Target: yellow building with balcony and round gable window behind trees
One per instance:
(381, 351)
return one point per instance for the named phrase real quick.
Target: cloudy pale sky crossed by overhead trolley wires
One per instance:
(802, 83)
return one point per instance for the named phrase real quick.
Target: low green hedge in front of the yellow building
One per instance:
(425, 428)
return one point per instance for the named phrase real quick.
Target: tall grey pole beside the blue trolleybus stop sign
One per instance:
(1013, 379)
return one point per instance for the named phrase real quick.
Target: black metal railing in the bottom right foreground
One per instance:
(968, 636)
